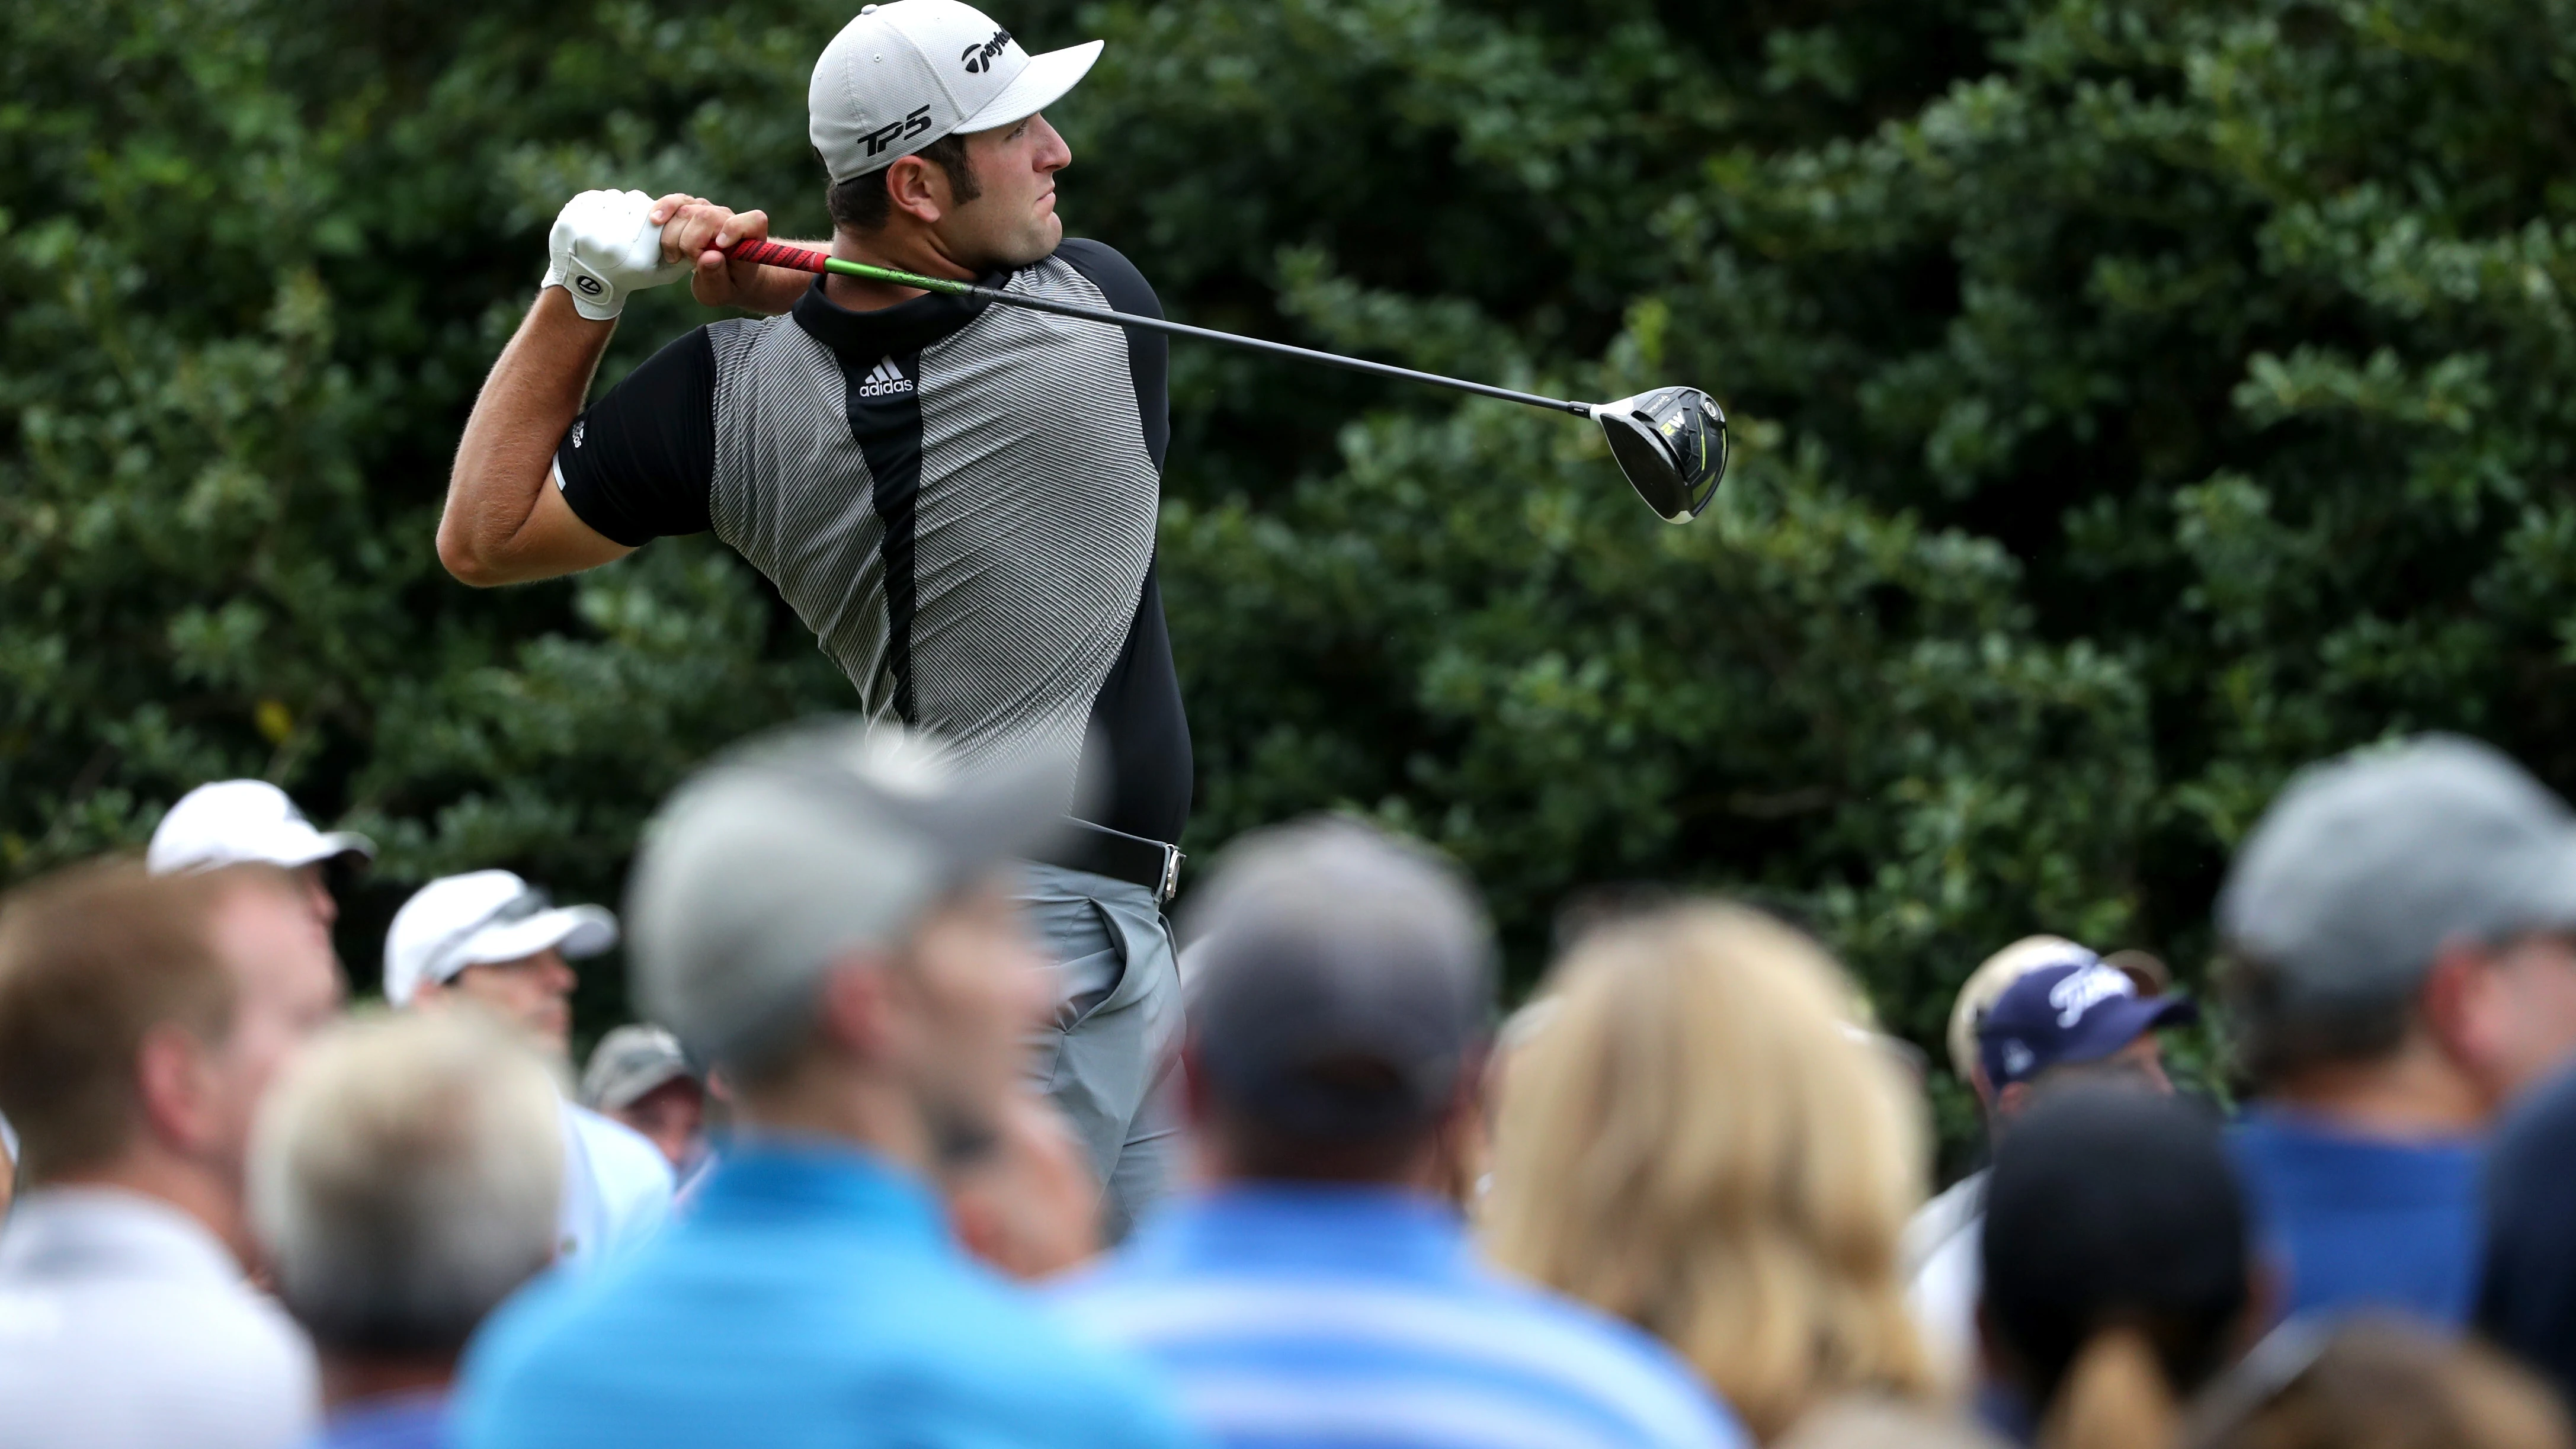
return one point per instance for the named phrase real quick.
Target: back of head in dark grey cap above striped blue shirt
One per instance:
(1341, 982)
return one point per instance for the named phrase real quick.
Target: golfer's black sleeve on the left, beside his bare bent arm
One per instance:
(643, 459)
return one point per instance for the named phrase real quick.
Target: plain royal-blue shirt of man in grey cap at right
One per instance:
(2363, 1224)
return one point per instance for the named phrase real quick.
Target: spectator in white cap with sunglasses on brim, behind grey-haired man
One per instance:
(504, 946)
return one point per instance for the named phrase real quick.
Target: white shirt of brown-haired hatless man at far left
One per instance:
(128, 1324)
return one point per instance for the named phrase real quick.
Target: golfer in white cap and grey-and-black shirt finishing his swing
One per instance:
(960, 501)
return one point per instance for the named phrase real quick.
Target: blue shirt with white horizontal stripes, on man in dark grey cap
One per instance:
(1361, 1319)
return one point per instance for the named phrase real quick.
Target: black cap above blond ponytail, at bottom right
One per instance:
(2114, 1206)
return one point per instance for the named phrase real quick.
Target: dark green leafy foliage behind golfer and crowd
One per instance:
(2134, 400)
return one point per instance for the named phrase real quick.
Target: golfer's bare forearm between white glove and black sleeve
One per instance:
(506, 457)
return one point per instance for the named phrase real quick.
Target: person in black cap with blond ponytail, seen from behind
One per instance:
(2119, 1268)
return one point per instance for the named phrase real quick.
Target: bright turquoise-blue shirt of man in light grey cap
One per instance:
(813, 1298)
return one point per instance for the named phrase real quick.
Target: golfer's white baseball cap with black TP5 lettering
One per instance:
(916, 71)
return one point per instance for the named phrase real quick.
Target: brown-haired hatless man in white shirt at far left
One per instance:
(140, 1026)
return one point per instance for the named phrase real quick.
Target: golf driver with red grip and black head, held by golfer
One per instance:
(1671, 441)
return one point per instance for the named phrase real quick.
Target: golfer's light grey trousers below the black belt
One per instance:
(1114, 1049)
